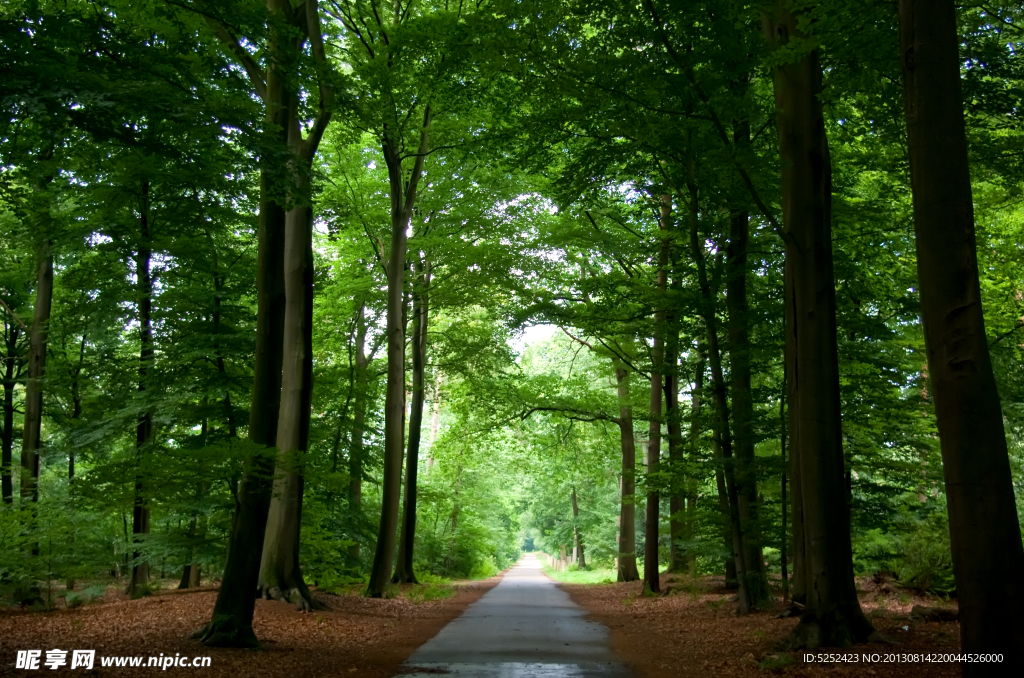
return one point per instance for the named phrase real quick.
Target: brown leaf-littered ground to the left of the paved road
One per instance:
(360, 638)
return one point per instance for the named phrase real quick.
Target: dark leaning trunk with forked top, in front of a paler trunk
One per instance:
(286, 152)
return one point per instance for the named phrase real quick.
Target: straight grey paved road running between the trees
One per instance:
(526, 627)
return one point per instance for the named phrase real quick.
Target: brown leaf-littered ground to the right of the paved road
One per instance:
(694, 631)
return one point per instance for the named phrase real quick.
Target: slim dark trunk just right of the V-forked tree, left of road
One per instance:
(421, 310)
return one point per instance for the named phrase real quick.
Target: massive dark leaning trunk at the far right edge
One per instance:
(984, 525)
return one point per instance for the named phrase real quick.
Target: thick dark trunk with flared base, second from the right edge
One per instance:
(833, 615)
